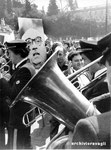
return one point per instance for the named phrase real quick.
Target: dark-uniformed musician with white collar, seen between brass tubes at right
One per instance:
(98, 85)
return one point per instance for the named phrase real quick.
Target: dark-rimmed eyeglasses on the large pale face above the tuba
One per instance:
(37, 40)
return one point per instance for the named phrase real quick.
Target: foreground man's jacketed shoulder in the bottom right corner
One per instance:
(92, 132)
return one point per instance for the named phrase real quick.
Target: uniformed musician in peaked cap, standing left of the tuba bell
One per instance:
(18, 134)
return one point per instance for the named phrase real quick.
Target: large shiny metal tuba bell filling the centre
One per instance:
(51, 91)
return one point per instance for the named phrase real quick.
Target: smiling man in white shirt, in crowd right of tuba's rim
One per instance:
(76, 62)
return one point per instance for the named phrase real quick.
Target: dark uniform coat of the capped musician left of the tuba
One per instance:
(10, 90)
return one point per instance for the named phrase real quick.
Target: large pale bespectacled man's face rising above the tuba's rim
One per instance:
(36, 44)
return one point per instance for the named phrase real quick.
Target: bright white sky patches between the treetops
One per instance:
(81, 3)
